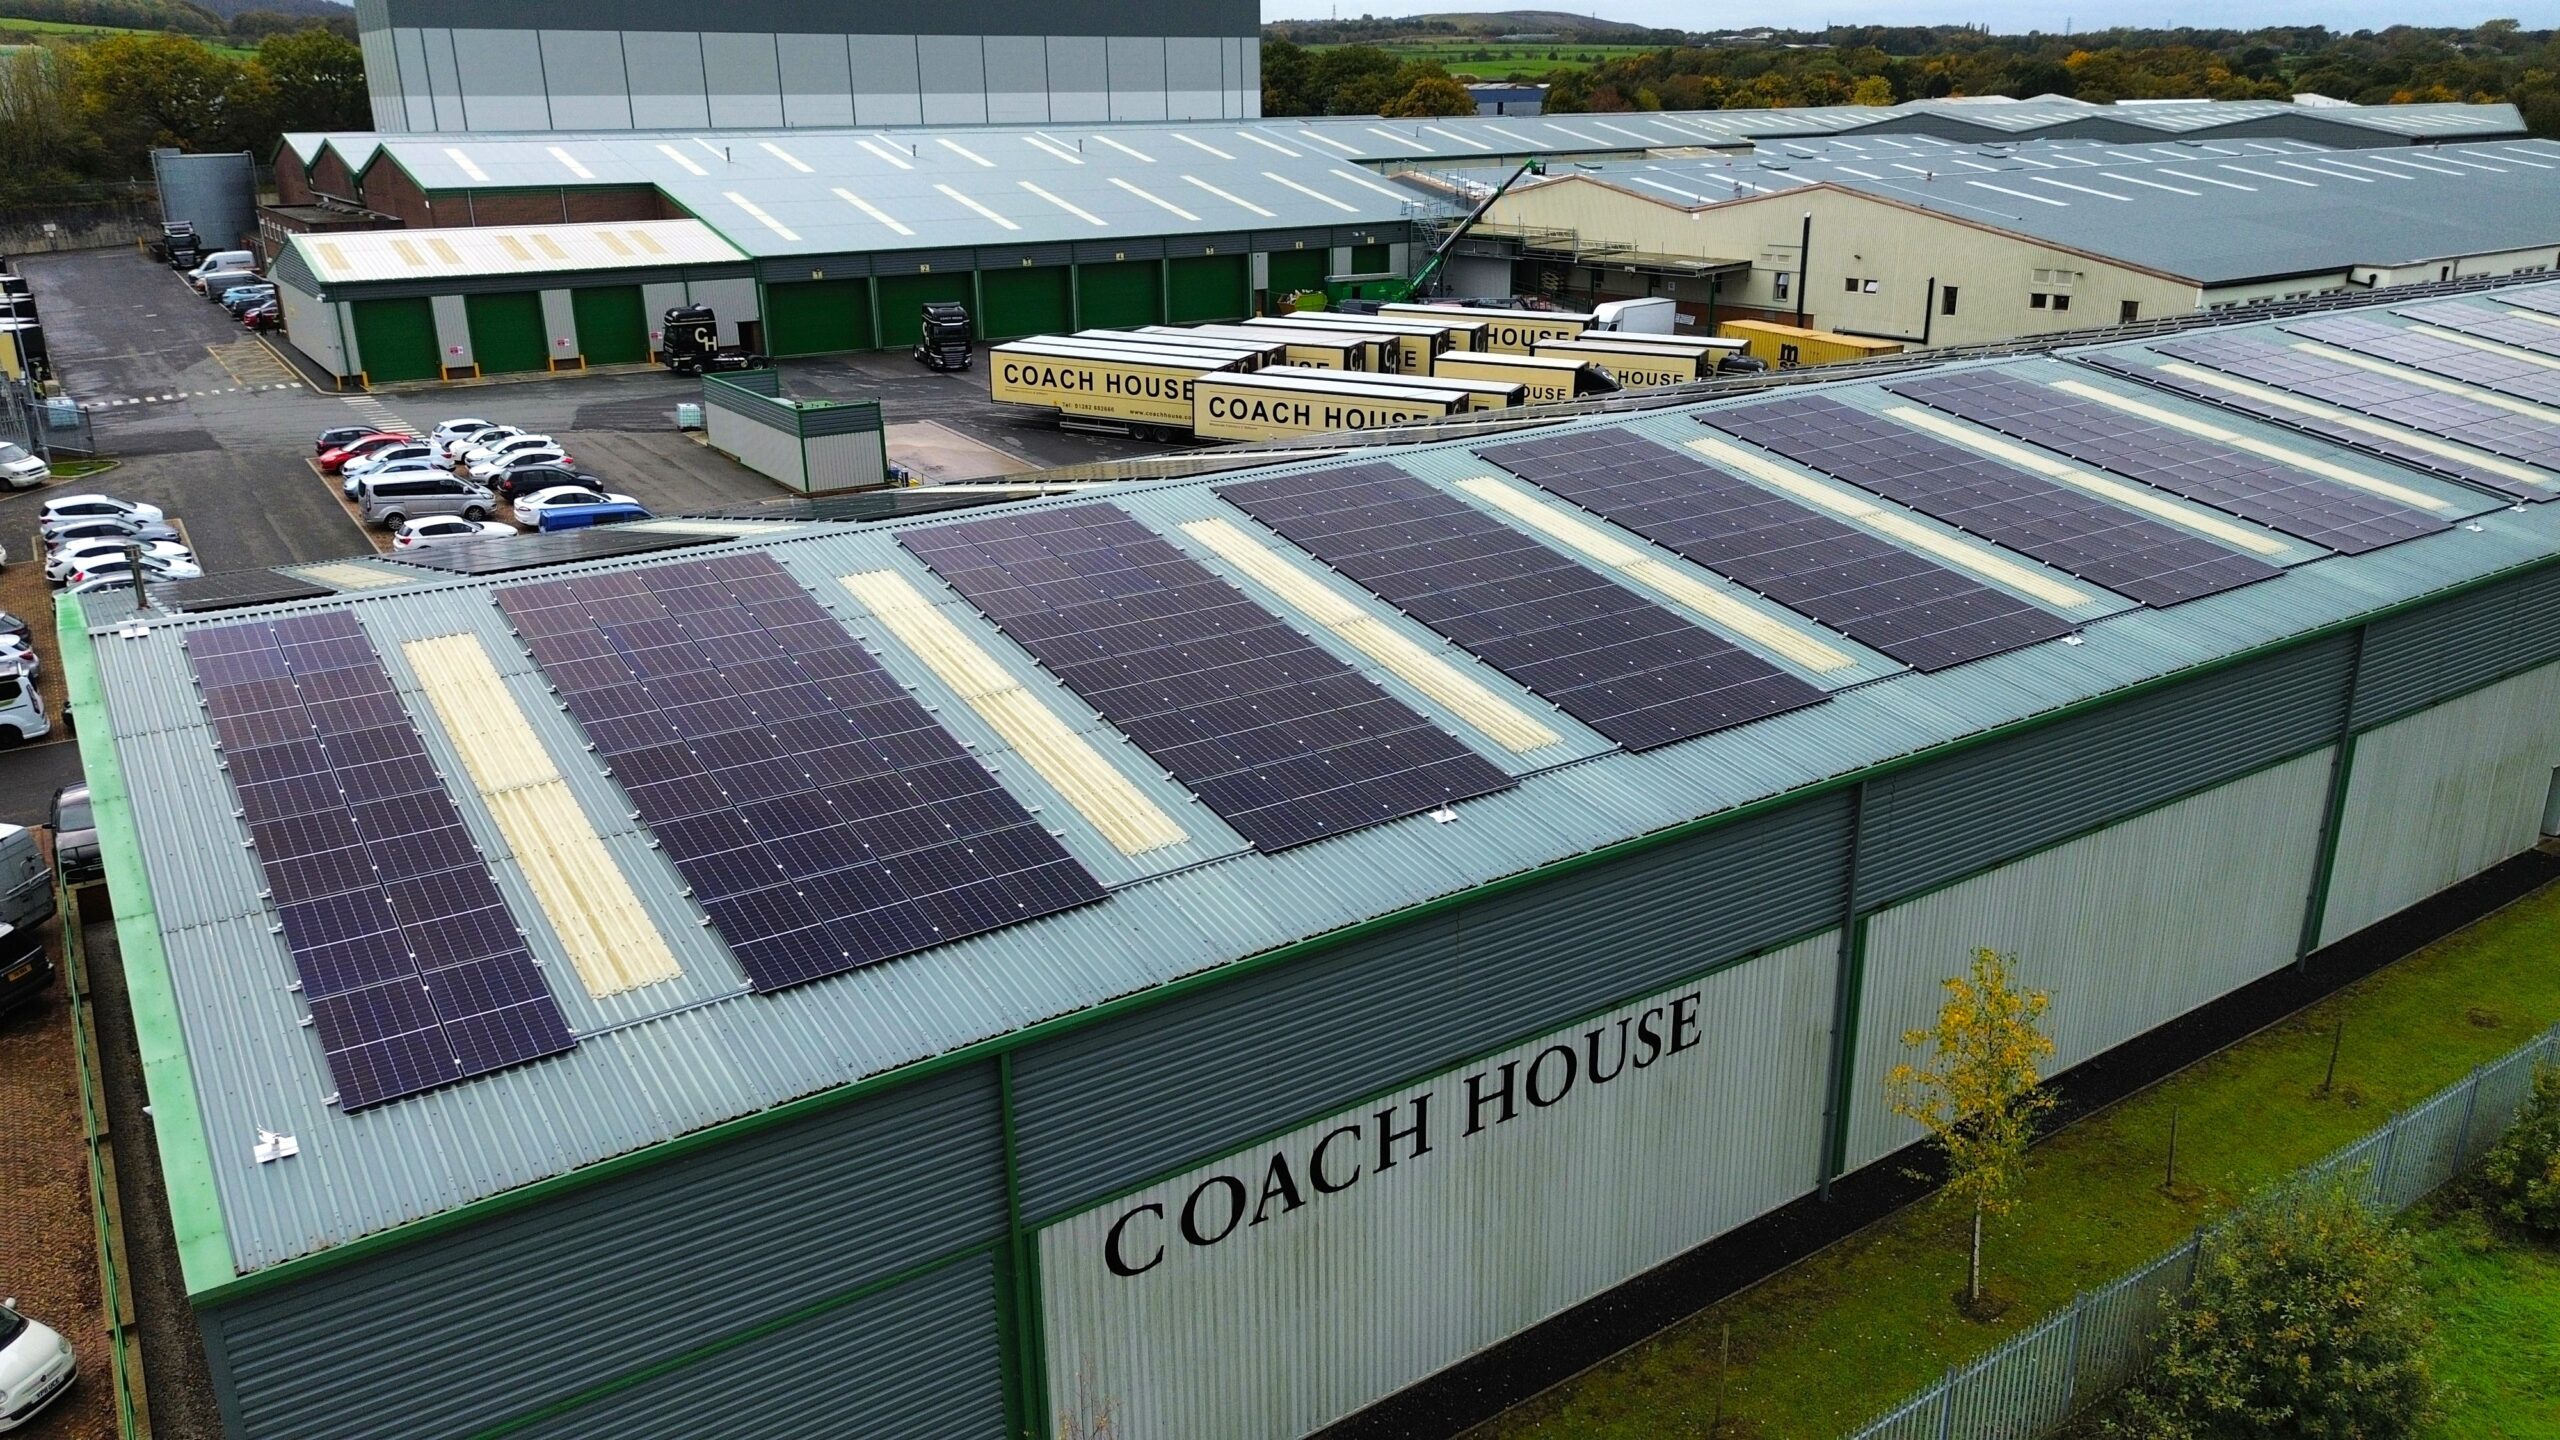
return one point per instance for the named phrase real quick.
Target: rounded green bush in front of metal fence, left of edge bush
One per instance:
(2305, 1321)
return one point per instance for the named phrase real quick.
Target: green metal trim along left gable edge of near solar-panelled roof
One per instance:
(178, 1126)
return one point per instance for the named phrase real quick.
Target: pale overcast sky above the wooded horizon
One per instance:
(2011, 17)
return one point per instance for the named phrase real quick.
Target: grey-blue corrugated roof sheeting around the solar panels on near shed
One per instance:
(669, 1060)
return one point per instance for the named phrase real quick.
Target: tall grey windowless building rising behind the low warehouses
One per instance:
(662, 65)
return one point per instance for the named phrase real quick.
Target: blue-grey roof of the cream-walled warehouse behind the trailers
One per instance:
(2208, 211)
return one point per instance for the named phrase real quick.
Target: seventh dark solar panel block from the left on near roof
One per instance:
(2208, 473)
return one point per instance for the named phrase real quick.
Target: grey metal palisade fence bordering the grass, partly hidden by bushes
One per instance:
(2031, 1385)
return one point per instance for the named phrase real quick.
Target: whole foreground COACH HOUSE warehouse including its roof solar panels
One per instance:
(1217, 972)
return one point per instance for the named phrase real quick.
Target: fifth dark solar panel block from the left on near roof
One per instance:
(1878, 593)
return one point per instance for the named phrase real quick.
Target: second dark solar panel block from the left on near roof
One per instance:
(820, 816)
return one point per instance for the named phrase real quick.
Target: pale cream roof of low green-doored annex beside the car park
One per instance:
(511, 250)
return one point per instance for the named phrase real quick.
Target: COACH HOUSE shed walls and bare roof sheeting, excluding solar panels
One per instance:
(961, 1193)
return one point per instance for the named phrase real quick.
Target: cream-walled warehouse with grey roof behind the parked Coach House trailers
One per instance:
(1932, 242)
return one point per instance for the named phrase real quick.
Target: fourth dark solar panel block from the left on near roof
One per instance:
(1601, 652)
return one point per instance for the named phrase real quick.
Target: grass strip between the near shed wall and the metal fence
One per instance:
(1827, 1344)
